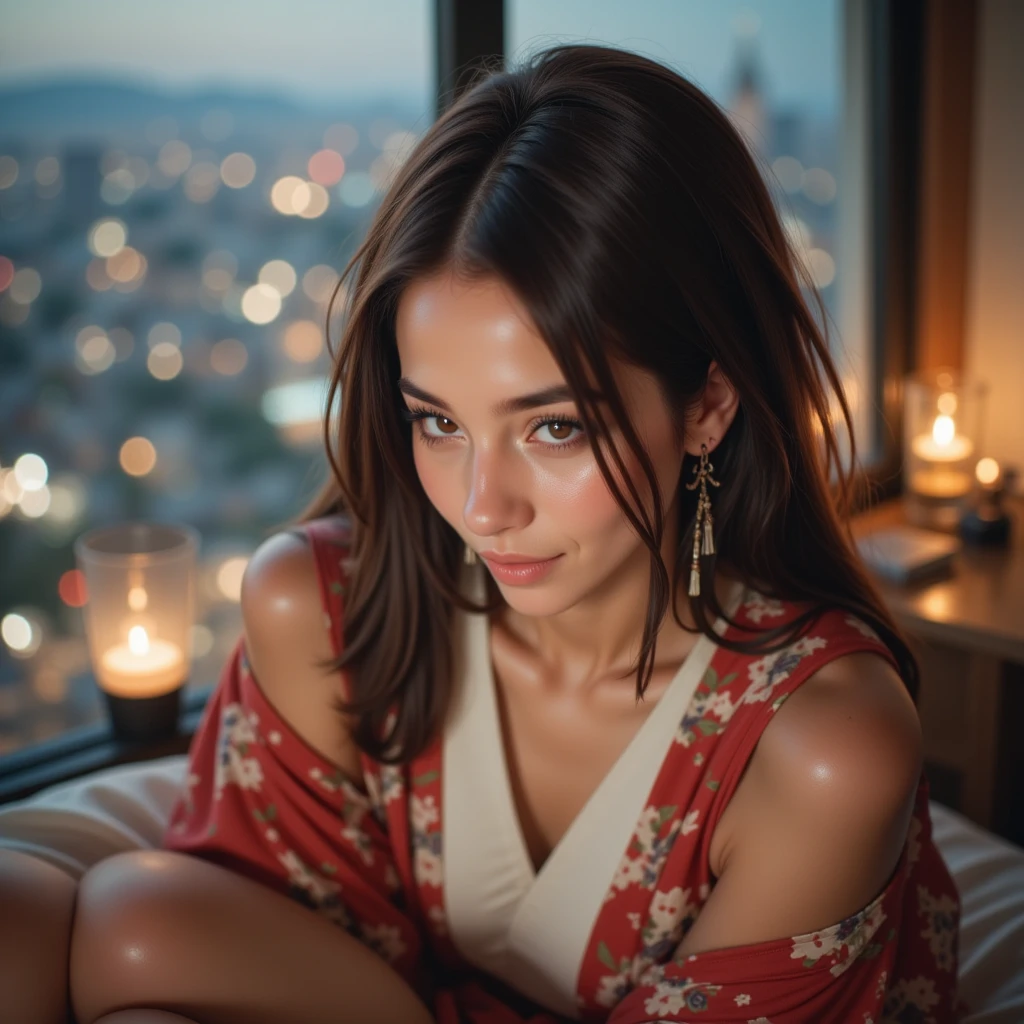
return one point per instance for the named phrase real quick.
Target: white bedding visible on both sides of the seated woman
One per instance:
(77, 824)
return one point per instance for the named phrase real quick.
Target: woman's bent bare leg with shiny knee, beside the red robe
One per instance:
(159, 929)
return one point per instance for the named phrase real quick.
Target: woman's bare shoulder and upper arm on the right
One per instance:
(820, 820)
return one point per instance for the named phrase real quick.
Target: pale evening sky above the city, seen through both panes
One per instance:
(319, 50)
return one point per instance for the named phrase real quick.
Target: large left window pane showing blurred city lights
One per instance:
(179, 193)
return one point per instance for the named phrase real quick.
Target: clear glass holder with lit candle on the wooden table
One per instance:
(943, 419)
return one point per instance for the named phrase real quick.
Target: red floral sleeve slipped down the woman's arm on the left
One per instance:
(261, 801)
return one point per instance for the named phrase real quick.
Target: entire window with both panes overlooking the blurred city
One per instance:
(178, 196)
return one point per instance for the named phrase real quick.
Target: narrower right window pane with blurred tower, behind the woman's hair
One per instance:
(784, 73)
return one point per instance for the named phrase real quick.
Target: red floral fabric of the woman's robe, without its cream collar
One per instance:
(369, 855)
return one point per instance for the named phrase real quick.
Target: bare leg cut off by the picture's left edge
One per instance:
(37, 904)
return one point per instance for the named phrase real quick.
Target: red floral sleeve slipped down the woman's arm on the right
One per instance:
(894, 960)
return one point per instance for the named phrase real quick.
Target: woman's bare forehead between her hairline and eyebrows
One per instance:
(479, 328)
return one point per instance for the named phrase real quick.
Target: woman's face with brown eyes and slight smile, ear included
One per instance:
(505, 481)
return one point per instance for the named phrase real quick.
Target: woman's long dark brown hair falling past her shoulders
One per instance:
(619, 203)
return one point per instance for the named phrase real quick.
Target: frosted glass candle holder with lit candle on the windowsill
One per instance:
(141, 591)
